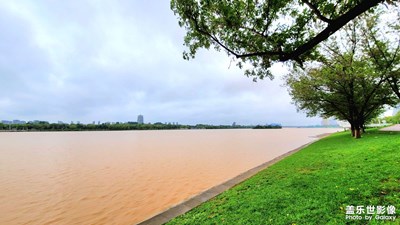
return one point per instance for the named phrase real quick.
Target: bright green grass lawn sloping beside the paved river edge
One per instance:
(314, 185)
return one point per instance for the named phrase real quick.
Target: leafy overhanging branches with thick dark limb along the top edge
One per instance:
(262, 32)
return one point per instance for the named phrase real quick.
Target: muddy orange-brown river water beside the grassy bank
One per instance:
(124, 177)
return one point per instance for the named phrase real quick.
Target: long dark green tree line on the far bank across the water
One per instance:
(46, 126)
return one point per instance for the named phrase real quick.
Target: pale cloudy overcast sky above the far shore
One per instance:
(87, 61)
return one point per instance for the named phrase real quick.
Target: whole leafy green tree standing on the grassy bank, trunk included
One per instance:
(344, 82)
